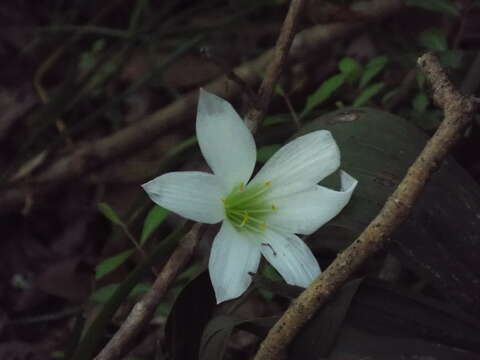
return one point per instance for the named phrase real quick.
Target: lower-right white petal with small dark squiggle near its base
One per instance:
(290, 256)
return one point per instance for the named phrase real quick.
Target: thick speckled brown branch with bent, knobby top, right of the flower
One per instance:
(458, 112)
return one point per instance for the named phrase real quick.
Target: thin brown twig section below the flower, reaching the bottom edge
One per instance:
(143, 311)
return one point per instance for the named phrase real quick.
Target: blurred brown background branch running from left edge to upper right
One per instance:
(92, 155)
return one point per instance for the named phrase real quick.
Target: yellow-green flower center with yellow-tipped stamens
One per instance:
(246, 207)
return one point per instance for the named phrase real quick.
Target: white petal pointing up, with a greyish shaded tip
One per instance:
(226, 143)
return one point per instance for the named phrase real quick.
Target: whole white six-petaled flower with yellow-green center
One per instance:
(262, 215)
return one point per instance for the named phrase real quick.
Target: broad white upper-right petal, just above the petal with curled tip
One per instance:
(300, 164)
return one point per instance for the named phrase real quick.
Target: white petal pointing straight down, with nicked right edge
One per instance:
(232, 257)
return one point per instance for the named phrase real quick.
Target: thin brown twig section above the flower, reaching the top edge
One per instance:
(280, 53)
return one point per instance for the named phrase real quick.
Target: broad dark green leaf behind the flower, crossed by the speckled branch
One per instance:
(377, 149)
